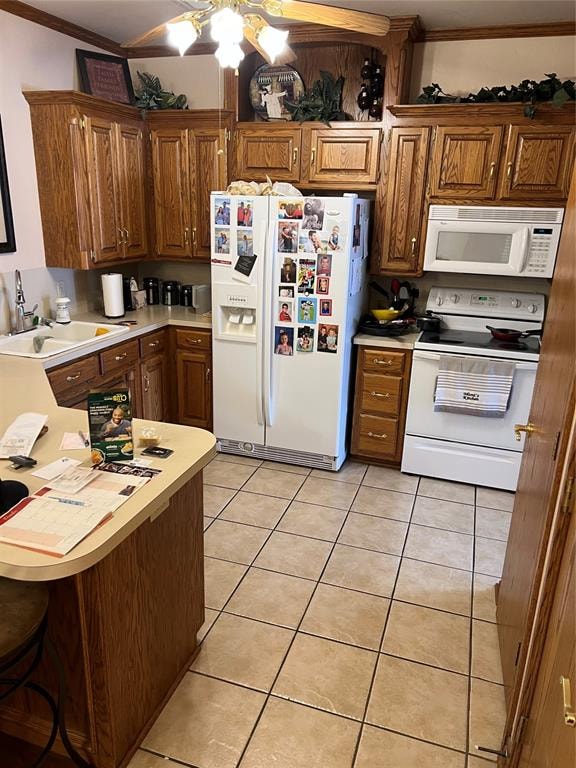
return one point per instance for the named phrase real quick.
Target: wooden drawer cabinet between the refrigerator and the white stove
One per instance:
(380, 399)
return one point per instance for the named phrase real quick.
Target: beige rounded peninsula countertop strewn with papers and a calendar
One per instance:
(25, 387)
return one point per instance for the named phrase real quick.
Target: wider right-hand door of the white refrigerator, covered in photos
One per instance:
(309, 379)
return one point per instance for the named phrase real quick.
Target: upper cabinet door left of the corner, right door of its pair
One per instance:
(133, 184)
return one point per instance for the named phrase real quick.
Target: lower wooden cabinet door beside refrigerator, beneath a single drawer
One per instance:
(194, 389)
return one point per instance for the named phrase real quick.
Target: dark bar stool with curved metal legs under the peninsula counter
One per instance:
(23, 622)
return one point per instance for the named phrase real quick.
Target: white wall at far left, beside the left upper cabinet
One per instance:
(31, 58)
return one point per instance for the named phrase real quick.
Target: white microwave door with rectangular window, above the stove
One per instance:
(480, 248)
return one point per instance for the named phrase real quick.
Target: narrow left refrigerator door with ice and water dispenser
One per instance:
(239, 229)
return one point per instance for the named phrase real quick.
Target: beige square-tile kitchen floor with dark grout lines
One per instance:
(349, 623)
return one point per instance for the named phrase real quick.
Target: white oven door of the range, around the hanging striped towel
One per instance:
(423, 421)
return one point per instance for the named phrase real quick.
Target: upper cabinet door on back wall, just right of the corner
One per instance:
(172, 199)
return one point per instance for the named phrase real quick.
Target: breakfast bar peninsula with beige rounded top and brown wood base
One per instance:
(127, 602)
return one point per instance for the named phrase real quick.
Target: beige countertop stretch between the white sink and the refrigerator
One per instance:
(151, 318)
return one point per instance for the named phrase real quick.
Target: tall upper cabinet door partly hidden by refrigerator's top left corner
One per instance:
(208, 149)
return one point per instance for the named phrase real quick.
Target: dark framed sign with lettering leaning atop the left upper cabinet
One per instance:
(105, 76)
